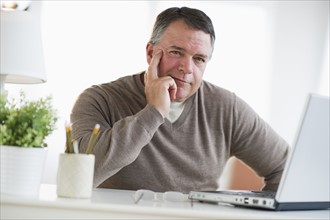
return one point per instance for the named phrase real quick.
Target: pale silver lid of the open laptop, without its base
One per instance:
(306, 176)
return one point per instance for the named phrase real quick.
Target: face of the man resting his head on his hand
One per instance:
(185, 54)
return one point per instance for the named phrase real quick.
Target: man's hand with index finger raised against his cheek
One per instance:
(160, 91)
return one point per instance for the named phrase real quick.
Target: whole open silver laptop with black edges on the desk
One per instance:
(305, 180)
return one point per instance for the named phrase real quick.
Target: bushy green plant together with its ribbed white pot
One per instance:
(24, 126)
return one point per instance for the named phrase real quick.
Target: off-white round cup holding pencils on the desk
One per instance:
(75, 175)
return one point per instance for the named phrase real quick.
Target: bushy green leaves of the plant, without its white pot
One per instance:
(26, 123)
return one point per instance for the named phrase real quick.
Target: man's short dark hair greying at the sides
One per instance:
(194, 18)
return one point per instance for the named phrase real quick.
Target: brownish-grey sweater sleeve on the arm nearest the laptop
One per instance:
(258, 145)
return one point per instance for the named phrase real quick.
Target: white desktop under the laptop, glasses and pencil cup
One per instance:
(107, 204)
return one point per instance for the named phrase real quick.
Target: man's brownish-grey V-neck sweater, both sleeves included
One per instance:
(137, 149)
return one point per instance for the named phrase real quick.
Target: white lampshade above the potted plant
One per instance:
(22, 60)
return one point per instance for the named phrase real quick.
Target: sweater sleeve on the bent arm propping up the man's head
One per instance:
(119, 142)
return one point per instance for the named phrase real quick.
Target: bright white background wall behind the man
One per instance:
(271, 53)
